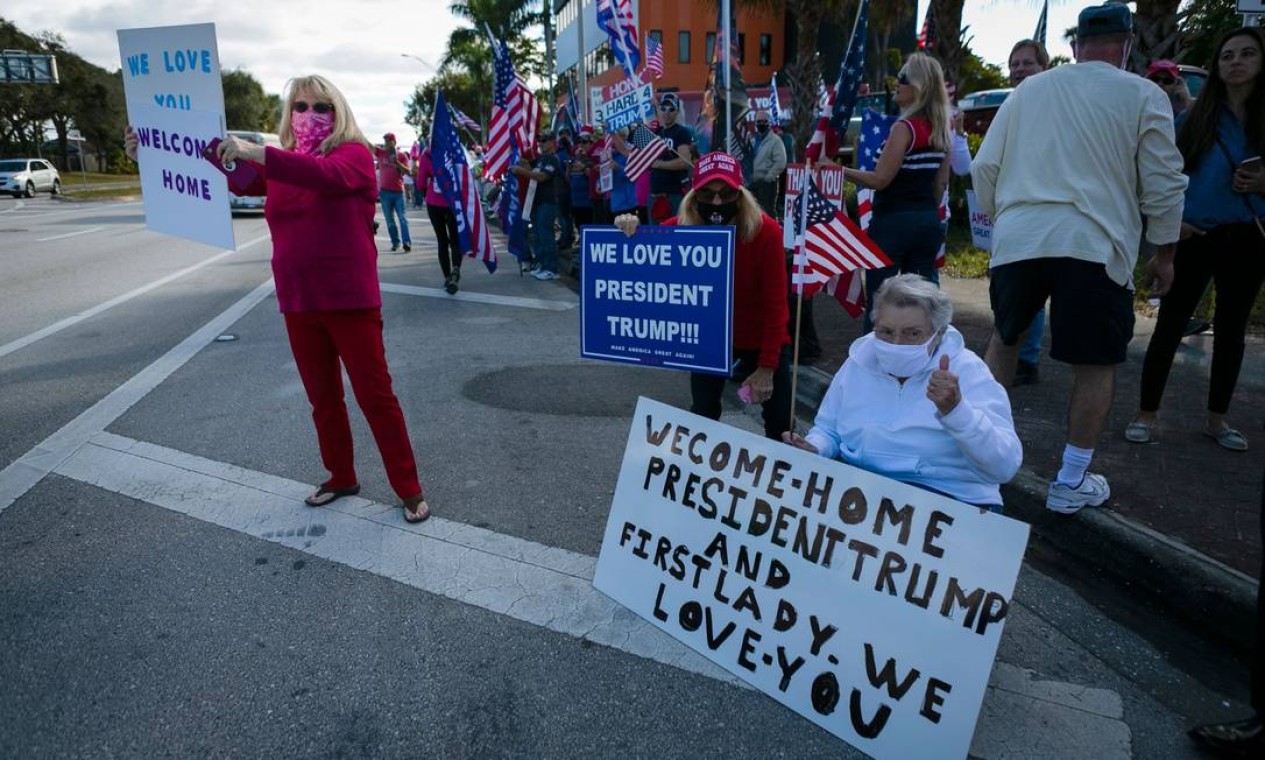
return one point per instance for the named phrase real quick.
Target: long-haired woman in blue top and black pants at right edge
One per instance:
(1223, 235)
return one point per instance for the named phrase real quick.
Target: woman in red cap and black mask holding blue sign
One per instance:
(761, 342)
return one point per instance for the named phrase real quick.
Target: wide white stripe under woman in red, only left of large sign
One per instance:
(540, 585)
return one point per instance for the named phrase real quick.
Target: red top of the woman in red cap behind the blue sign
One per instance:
(761, 312)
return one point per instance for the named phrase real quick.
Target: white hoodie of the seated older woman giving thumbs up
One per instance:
(871, 420)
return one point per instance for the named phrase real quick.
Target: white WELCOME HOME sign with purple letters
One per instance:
(185, 195)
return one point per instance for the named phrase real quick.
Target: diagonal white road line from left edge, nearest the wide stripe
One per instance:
(23, 474)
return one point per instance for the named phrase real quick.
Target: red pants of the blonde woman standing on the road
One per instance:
(321, 342)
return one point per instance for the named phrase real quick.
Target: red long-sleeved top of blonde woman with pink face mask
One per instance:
(321, 214)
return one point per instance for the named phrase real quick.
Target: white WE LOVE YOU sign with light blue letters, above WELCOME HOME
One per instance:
(173, 68)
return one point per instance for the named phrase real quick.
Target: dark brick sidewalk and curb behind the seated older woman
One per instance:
(1182, 524)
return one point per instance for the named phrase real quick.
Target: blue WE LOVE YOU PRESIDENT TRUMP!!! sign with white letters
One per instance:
(663, 298)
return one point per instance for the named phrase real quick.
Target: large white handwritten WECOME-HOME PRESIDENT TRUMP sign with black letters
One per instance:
(868, 606)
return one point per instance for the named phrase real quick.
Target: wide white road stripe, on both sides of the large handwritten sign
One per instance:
(538, 585)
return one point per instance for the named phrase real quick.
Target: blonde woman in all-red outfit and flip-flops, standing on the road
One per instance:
(322, 193)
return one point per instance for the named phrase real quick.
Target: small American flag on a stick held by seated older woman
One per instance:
(833, 245)
